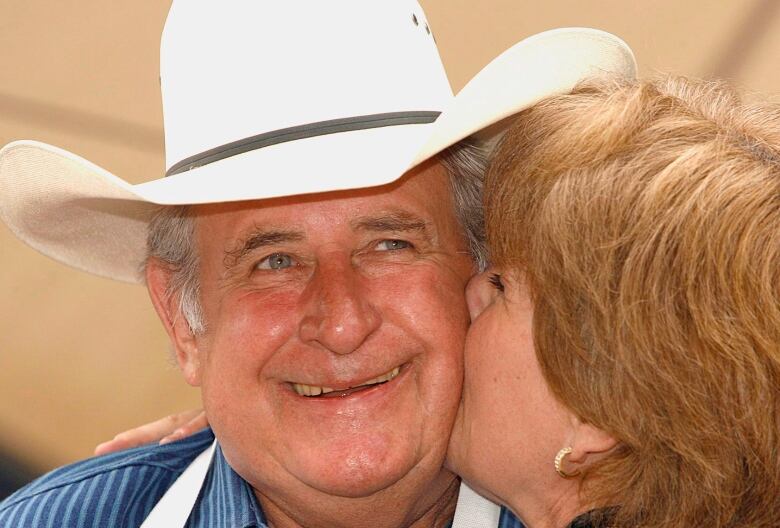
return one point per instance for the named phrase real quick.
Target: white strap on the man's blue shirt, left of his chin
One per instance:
(174, 508)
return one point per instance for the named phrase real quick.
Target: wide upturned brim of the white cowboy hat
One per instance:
(84, 216)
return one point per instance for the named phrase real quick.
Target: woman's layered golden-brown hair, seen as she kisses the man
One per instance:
(646, 218)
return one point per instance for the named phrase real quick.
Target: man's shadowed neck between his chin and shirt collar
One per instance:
(433, 507)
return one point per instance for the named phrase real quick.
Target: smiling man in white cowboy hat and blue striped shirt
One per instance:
(308, 263)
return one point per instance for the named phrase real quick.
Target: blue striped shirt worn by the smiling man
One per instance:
(119, 491)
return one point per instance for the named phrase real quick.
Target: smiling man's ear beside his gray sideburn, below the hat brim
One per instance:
(184, 342)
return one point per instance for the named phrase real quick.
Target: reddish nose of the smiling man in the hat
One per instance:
(338, 314)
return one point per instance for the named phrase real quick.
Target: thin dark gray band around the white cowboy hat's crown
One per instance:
(320, 128)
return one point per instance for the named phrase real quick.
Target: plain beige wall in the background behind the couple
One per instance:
(82, 357)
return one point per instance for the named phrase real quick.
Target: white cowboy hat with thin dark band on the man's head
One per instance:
(270, 98)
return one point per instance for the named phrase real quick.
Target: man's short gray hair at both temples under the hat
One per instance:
(172, 229)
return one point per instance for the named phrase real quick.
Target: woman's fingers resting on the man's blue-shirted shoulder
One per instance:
(165, 430)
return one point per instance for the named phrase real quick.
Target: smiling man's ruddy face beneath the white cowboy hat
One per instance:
(359, 293)
